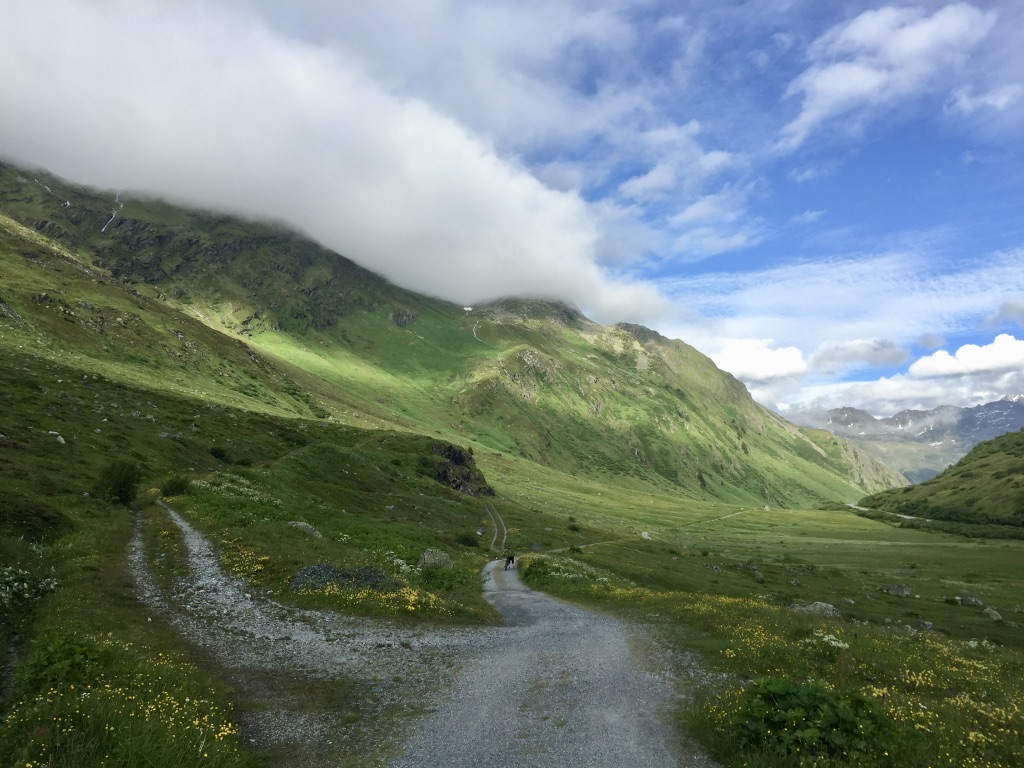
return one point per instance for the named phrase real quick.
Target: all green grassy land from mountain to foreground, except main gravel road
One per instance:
(180, 385)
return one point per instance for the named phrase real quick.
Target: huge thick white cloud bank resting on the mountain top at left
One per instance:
(203, 105)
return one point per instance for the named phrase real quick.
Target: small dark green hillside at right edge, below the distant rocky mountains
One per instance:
(983, 495)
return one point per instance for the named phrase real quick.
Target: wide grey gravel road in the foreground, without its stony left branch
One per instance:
(557, 688)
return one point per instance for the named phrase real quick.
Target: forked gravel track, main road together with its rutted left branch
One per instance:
(557, 686)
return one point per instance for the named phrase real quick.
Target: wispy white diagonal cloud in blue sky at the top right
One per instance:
(878, 60)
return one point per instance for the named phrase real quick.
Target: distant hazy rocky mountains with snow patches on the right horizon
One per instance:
(922, 444)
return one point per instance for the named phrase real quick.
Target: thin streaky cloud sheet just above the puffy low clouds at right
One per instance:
(891, 295)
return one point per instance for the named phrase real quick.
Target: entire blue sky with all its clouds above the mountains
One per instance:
(826, 198)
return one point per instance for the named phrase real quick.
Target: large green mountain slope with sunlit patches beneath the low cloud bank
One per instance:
(252, 316)
